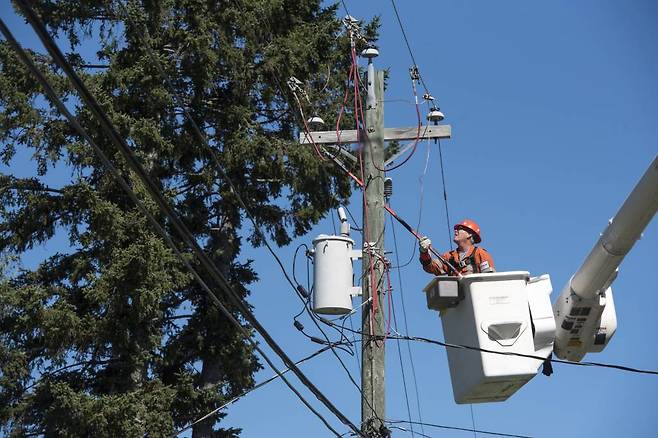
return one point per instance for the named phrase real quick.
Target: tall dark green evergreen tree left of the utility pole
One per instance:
(111, 336)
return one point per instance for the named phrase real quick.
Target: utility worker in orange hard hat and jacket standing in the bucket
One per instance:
(466, 259)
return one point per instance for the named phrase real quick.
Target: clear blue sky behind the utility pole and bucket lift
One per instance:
(554, 109)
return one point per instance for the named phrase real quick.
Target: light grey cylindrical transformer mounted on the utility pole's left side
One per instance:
(332, 274)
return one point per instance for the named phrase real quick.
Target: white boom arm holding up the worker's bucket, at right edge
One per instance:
(584, 312)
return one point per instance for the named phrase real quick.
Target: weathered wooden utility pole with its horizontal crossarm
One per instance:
(372, 371)
